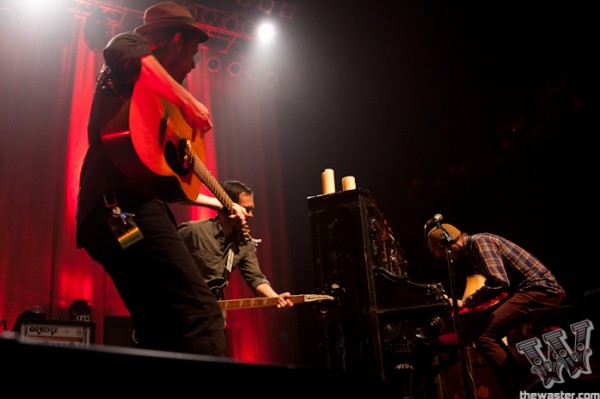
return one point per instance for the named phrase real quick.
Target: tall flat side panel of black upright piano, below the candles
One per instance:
(344, 256)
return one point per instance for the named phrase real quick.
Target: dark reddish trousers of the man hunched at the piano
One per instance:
(511, 314)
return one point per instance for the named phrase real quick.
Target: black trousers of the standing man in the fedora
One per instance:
(171, 306)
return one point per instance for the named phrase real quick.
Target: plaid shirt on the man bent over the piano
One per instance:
(507, 268)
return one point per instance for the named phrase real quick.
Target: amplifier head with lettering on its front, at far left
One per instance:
(58, 332)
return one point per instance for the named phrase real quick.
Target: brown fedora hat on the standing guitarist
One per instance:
(168, 14)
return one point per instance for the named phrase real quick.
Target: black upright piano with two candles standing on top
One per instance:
(380, 322)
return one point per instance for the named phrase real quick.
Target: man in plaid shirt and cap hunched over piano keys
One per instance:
(510, 272)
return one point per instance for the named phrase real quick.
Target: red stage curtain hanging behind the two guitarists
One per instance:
(47, 81)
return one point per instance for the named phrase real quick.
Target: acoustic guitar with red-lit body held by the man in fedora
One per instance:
(149, 139)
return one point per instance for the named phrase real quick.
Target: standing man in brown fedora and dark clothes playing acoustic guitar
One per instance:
(123, 220)
